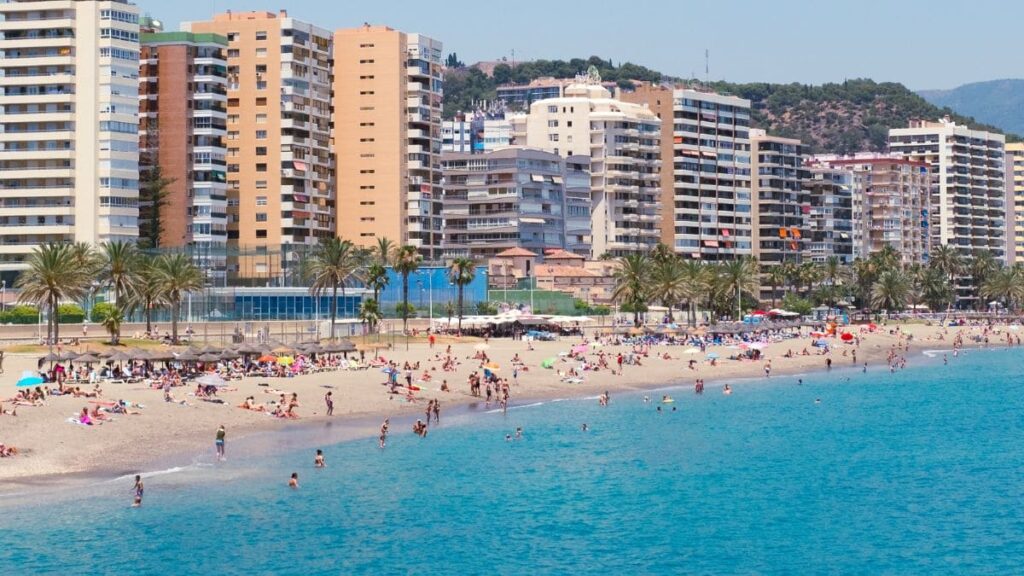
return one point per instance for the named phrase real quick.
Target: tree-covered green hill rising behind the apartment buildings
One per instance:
(841, 118)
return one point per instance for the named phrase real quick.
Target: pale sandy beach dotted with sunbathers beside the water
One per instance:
(52, 447)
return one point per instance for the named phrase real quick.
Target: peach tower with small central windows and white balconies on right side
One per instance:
(388, 138)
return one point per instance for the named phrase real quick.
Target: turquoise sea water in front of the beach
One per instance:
(917, 473)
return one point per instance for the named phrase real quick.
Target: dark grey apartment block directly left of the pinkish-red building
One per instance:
(834, 217)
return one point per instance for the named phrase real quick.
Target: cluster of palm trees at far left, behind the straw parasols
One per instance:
(62, 272)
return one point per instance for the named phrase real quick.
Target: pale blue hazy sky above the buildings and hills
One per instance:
(922, 44)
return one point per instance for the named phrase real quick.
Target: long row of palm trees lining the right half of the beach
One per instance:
(882, 281)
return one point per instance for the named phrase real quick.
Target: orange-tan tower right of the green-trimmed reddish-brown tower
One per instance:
(281, 176)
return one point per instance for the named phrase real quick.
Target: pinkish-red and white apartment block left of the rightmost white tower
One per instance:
(894, 205)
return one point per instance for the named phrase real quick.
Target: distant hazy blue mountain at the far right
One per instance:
(1000, 103)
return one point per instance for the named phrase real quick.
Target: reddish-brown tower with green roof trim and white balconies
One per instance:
(183, 125)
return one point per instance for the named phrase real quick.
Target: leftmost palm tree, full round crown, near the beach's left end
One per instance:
(56, 273)
